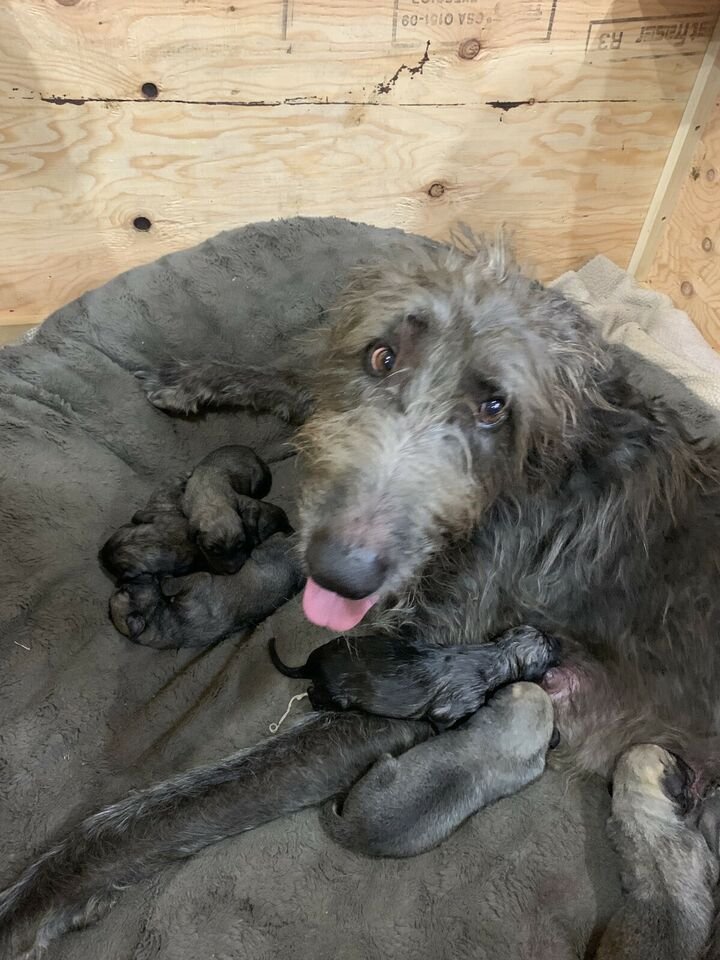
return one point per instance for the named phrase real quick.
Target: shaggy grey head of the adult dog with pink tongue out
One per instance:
(445, 382)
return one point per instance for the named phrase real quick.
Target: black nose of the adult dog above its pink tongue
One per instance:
(353, 572)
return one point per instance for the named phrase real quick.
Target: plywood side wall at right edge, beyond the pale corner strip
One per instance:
(687, 264)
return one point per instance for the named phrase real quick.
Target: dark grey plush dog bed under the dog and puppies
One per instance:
(85, 715)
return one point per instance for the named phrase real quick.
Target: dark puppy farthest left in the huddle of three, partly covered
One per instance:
(157, 539)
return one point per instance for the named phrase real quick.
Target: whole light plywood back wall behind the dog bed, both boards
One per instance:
(189, 116)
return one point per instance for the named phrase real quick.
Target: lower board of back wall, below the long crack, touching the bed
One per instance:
(570, 178)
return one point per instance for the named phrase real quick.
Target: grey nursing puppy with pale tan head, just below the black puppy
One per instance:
(408, 804)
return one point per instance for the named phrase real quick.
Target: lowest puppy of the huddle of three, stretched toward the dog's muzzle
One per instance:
(200, 609)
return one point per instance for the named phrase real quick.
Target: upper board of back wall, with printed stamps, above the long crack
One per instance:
(343, 51)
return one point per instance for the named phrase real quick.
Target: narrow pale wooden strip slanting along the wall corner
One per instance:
(677, 165)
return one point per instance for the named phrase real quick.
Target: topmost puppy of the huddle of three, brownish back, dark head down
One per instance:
(221, 505)
